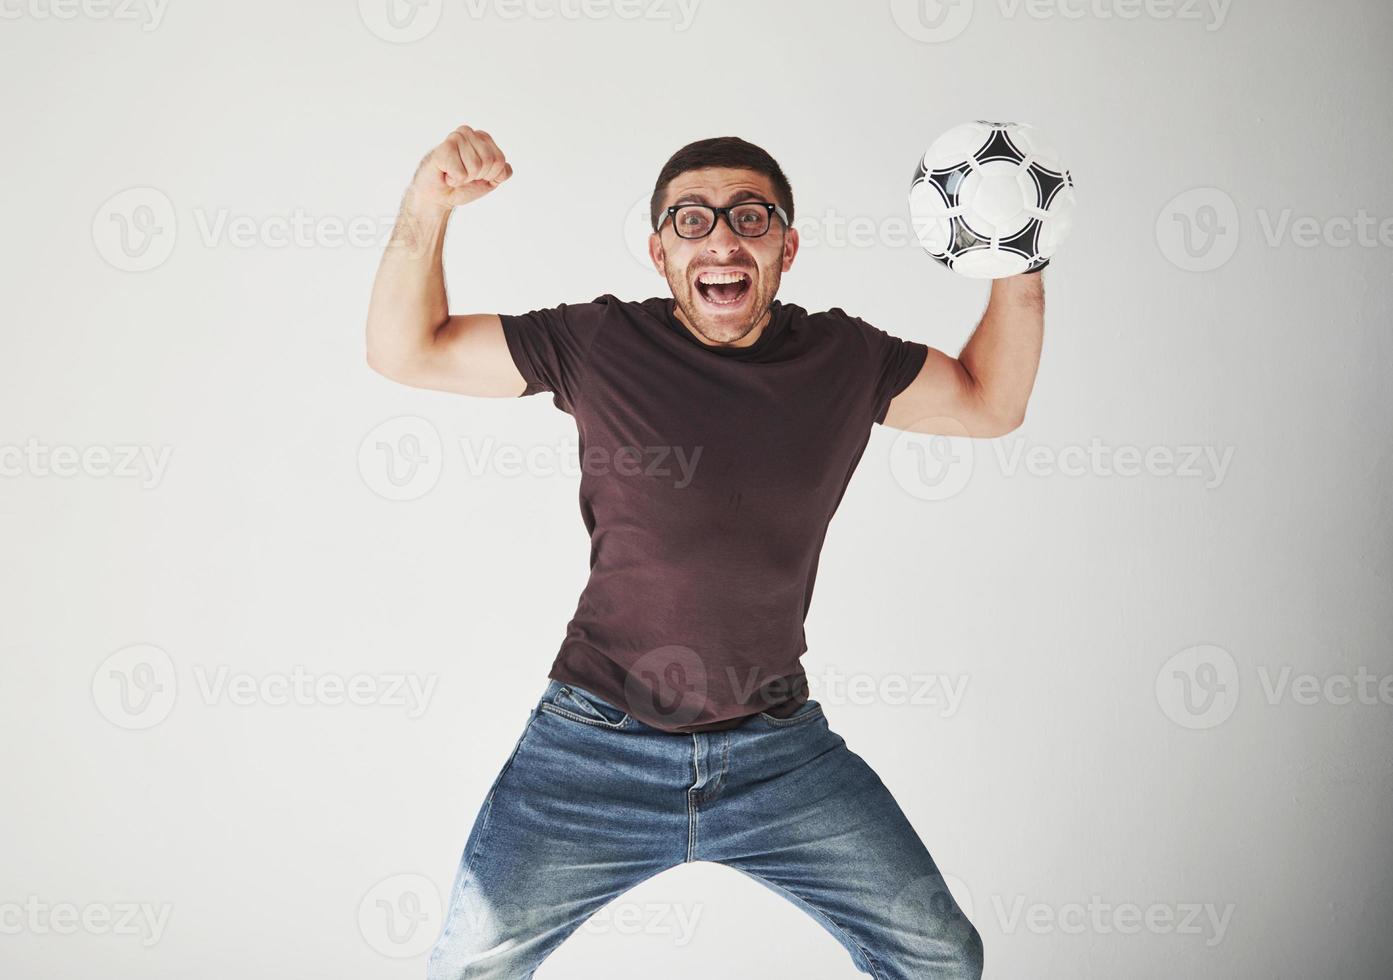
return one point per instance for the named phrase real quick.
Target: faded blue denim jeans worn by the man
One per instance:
(591, 803)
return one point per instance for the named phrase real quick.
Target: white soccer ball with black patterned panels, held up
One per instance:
(991, 200)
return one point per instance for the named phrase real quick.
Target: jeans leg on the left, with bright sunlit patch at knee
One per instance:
(569, 825)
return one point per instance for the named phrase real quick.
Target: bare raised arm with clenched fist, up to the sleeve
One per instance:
(412, 336)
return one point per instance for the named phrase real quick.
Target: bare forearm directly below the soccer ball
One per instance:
(1004, 354)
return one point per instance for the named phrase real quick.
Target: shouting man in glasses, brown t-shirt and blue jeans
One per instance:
(719, 429)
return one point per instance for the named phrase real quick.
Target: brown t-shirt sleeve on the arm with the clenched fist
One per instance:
(551, 349)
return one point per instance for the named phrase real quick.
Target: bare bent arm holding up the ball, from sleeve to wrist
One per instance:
(981, 393)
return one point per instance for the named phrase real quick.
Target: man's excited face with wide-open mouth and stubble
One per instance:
(722, 314)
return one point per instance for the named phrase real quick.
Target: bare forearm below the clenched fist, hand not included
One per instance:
(409, 299)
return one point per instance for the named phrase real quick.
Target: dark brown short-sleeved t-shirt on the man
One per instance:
(708, 480)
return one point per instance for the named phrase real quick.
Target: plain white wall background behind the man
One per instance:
(1069, 596)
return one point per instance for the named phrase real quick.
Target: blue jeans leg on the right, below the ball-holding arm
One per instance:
(813, 822)
